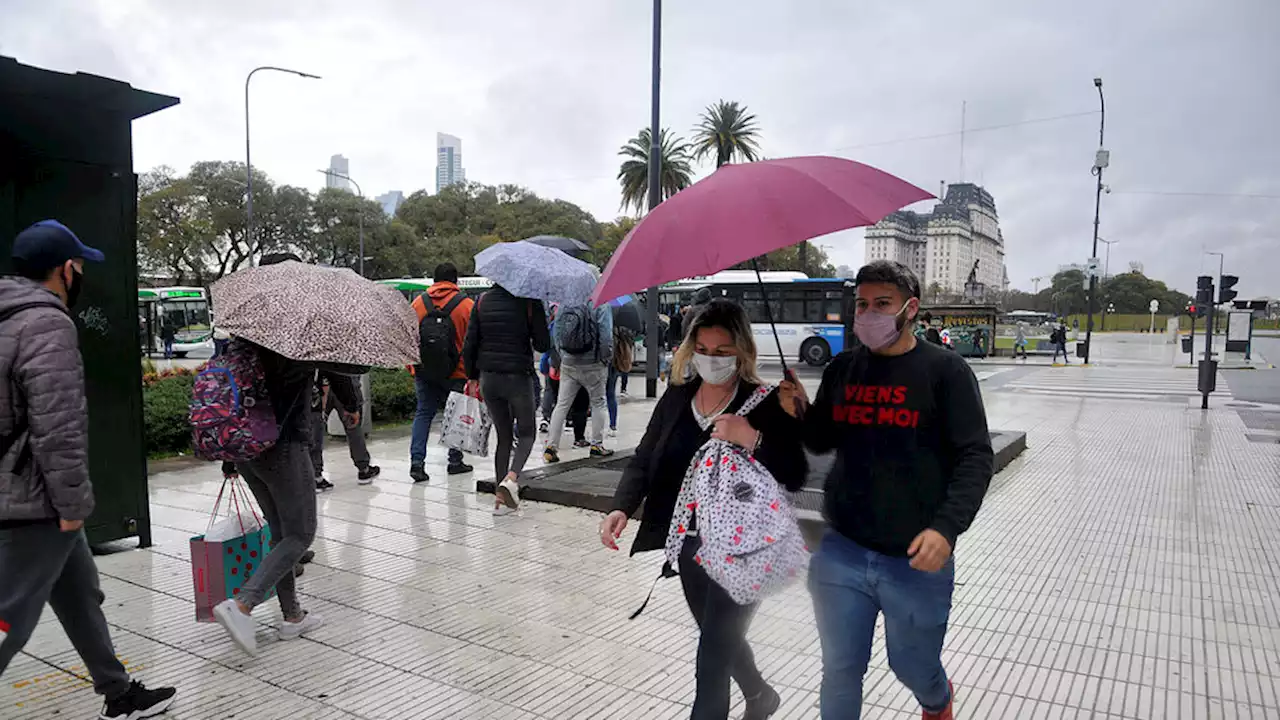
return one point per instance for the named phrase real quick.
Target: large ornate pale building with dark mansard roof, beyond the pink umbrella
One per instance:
(944, 247)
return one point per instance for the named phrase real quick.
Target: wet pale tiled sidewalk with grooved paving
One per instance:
(1126, 567)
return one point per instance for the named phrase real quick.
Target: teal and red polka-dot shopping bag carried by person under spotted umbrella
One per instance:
(231, 550)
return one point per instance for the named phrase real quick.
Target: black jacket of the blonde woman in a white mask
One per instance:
(657, 471)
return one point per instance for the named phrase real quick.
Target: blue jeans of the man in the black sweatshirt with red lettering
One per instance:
(851, 587)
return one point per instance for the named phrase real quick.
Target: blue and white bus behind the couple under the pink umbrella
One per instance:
(810, 313)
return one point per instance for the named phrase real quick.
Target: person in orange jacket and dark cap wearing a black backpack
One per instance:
(445, 316)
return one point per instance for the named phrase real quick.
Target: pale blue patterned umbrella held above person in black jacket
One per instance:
(538, 272)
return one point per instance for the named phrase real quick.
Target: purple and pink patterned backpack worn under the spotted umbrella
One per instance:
(231, 413)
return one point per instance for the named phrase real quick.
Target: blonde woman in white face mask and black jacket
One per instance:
(723, 352)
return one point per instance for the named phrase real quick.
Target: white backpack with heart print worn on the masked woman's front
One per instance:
(752, 543)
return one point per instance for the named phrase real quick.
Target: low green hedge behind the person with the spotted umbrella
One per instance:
(166, 398)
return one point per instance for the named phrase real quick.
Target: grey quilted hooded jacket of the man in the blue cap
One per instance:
(44, 420)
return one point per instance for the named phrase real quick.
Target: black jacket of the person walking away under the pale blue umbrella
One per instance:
(504, 335)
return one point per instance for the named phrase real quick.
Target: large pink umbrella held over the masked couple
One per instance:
(743, 212)
